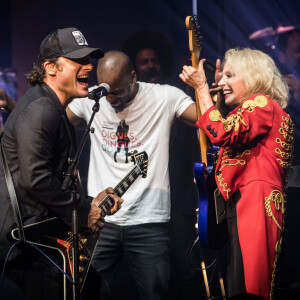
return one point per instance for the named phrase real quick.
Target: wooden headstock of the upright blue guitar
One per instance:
(195, 37)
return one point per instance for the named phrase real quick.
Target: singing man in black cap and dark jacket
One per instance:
(37, 141)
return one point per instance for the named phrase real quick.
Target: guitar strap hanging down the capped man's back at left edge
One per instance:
(12, 194)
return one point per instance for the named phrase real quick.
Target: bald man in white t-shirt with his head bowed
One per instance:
(139, 230)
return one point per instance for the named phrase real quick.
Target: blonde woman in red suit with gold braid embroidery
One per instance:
(255, 142)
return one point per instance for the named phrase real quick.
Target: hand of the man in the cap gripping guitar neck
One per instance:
(95, 219)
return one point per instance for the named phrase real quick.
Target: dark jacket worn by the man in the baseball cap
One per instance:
(38, 140)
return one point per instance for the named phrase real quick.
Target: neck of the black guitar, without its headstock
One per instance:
(107, 203)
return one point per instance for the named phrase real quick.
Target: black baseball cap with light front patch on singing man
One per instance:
(69, 43)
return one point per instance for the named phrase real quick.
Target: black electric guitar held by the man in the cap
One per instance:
(55, 234)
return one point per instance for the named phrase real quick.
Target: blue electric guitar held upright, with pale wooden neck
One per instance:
(208, 230)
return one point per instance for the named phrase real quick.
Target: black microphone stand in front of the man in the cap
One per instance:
(69, 181)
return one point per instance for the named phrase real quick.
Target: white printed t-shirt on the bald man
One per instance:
(149, 118)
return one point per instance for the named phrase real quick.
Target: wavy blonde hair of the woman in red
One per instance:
(259, 73)
